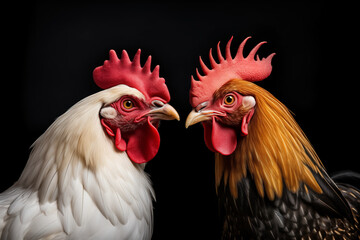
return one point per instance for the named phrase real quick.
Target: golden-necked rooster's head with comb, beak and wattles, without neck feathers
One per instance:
(222, 108)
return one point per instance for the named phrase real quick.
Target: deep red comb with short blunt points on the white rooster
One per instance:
(117, 71)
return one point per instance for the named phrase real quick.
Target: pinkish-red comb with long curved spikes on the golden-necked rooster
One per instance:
(228, 68)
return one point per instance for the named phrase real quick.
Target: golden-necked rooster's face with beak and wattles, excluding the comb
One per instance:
(223, 116)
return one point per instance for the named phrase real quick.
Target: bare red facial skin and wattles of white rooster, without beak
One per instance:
(135, 132)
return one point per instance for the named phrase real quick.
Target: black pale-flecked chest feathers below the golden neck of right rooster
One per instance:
(292, 216)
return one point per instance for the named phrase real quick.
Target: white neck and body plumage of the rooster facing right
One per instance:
(77, 185)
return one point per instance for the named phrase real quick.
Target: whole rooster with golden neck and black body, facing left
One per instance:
(269, 180)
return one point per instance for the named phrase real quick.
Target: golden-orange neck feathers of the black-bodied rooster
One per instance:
(275, 152)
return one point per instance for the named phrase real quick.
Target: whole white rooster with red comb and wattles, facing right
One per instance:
(85, 175)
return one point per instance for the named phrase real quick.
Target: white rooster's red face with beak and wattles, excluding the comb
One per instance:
(133, 123)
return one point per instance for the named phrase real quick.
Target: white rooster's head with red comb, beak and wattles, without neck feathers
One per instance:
(132, 120)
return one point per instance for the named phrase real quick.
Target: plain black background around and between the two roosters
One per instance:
(50, 49)
